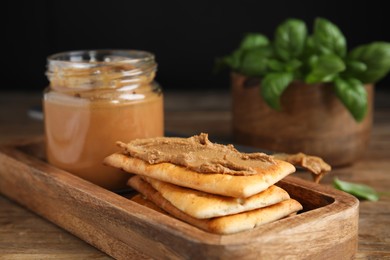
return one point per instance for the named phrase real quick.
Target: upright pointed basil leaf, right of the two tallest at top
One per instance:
(328, 38)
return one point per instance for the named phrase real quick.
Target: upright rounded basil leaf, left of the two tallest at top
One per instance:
(290, 38)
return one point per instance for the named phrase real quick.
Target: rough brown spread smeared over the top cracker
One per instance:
(198, 154)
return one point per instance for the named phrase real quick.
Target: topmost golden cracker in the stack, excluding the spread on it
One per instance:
(216, 183)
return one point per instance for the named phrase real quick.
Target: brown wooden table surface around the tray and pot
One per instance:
(25, 235)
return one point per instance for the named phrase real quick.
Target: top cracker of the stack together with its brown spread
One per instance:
(199, 164)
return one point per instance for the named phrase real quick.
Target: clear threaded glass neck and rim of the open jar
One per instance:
(100, 70)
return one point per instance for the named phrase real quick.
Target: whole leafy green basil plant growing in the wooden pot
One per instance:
(323, 56)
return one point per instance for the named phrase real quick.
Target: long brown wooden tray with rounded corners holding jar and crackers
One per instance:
(326, 229)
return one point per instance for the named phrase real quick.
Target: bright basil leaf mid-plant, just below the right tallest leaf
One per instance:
(324, 68)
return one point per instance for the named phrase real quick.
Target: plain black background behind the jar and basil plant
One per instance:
(186, 36)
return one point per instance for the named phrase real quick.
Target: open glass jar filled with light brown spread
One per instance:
(96, 98)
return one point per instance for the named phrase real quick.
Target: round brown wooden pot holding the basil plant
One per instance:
(312, 121)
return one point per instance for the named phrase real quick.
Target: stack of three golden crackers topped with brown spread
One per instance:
(211, 186)
